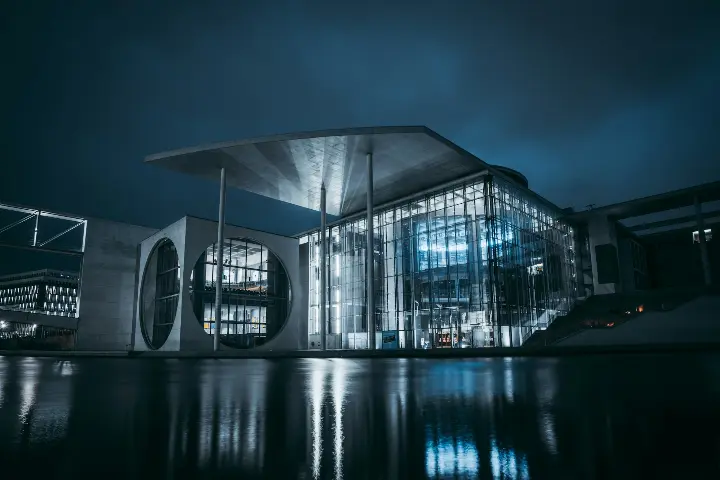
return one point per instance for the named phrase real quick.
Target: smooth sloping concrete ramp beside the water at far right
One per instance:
(694, 322)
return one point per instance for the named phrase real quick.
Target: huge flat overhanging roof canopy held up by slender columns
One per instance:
(292, 167)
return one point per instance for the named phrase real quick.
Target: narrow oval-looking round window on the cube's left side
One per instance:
(159, 294)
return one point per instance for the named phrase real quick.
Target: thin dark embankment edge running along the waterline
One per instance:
(434, 354)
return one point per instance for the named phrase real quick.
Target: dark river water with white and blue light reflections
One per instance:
(342, 418)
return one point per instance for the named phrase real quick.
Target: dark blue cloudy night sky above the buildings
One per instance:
(594, 104)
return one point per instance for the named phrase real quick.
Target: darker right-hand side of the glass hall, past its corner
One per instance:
(532, 263)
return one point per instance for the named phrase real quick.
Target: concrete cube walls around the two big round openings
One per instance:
(191, 237)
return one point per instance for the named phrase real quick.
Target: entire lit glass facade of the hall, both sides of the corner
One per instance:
(480, 264)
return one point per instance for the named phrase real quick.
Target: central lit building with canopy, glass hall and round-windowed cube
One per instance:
(433, 248)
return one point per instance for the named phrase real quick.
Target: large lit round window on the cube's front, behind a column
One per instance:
(255, 293)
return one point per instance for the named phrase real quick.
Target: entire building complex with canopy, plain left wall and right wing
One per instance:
(428, 247)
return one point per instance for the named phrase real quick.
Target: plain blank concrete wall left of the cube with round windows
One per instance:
(108, 285)
